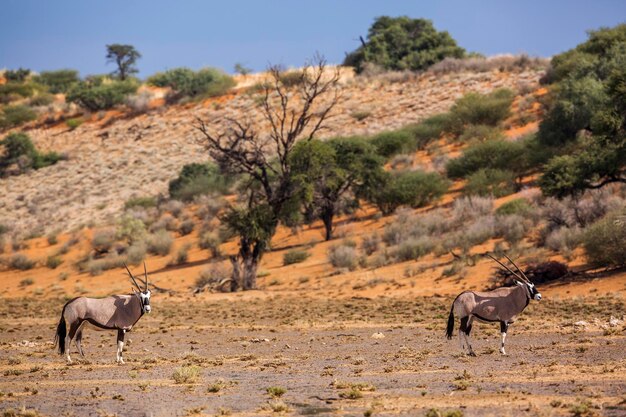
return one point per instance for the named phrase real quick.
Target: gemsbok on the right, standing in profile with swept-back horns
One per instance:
(500, 305)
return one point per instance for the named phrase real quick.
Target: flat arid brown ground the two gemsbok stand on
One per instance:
(218, 355)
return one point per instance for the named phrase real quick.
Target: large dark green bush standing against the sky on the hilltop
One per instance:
(403, 43)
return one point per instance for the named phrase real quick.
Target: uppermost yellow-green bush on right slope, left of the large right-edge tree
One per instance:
(478, 109)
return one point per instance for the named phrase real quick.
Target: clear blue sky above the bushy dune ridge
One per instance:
(47, 34)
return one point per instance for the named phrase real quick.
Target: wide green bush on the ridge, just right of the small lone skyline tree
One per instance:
(207, 82)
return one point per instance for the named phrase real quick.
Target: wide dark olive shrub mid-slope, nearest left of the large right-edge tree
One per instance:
(495, 154)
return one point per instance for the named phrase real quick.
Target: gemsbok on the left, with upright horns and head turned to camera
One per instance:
(116, 312)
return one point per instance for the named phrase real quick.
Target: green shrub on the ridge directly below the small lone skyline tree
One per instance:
(100, 93)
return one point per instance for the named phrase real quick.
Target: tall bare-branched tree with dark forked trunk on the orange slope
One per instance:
(293, 110)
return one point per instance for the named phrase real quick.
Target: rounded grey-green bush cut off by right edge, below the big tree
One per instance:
(604, 241)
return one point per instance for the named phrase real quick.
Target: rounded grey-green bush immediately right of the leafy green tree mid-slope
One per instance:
(415, 189)
